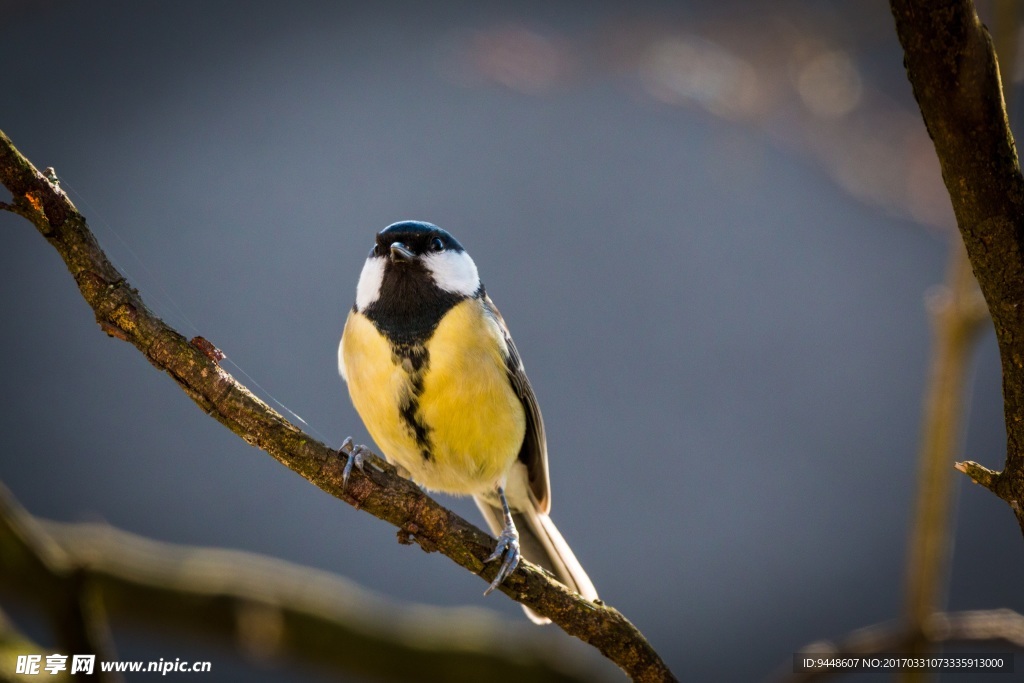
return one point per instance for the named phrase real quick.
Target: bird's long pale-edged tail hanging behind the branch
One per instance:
(542, 544)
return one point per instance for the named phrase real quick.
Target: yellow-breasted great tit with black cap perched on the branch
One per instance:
(437, 379)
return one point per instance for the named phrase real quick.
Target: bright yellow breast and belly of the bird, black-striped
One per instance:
(461, 400)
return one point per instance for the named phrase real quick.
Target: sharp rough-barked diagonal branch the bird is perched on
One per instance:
(379, 491)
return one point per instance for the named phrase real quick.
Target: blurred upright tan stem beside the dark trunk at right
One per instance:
(959, 316)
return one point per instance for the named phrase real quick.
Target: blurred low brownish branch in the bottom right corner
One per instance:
(995, 627)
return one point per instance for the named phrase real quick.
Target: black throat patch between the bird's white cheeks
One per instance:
(410, 305)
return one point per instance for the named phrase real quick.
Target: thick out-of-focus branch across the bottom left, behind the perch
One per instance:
(269, 609)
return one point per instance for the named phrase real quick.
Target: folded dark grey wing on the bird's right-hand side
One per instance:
(535, 447)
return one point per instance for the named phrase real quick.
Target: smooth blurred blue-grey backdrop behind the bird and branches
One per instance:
(711, 228)
